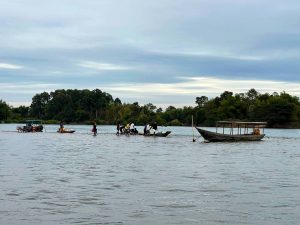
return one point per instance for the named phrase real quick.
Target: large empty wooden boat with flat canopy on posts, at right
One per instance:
(241, 129)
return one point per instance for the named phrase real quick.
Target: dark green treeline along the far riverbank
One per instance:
(84, 106)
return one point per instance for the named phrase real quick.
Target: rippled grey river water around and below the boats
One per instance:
(51, 178)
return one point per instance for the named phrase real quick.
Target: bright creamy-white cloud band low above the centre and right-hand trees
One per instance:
(184, 93)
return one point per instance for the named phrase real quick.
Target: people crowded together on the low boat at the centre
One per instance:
(130, 129)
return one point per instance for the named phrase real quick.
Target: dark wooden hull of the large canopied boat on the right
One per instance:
(217, 137)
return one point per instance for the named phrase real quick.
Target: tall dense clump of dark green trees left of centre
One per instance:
(70, 105)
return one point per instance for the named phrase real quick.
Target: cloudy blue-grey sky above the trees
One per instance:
(165, 52)
